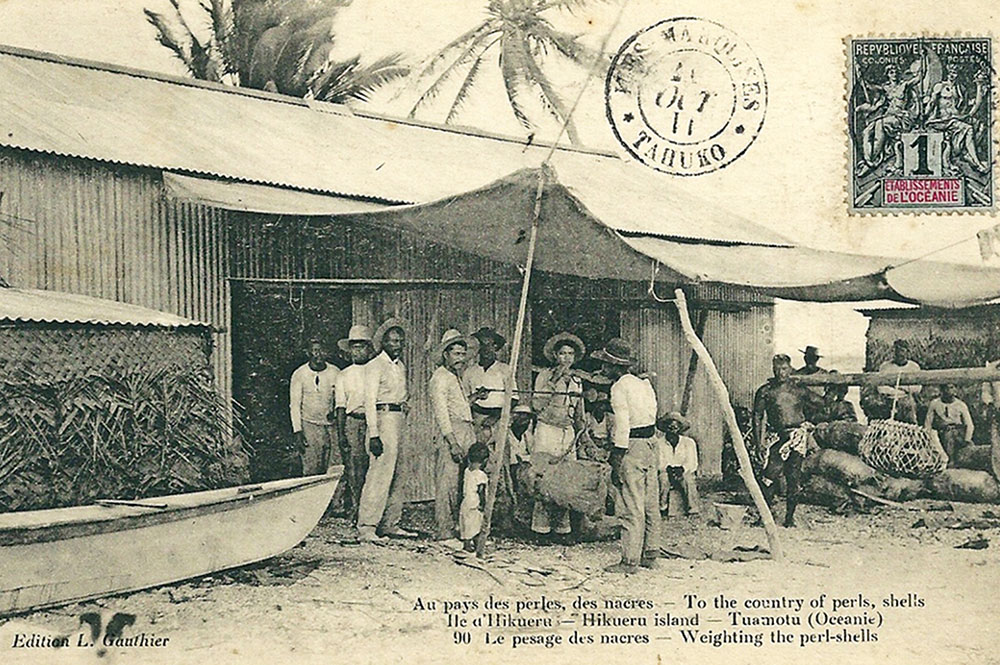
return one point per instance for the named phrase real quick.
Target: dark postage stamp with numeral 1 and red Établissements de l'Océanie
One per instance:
(920, 124)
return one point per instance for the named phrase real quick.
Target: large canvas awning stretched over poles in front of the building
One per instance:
(612, 223)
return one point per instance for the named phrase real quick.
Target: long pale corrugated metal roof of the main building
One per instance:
(82, 109)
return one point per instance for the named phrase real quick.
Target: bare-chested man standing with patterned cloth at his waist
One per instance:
(783, 407)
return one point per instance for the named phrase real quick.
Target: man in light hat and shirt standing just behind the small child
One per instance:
(453, 416)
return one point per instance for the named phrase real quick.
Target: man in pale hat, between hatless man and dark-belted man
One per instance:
(352, 389)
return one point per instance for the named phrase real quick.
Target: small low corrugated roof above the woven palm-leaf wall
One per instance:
(38, 306)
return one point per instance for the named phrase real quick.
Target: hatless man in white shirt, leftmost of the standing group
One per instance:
(310, 404)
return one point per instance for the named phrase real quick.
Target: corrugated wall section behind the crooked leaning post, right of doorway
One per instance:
(741, 343)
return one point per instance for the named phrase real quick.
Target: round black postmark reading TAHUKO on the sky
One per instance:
(686, 96)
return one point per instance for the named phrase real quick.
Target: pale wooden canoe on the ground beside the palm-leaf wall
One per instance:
(64, 555)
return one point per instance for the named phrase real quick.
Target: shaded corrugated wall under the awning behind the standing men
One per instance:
(272, 247)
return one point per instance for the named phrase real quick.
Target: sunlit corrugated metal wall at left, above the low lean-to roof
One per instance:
(107, 231)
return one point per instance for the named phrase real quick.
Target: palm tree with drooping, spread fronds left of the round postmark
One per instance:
(522, 36)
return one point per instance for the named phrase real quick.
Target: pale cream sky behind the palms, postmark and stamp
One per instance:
(791, 179)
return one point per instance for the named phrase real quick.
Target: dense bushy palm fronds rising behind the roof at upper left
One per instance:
(278, 45)
